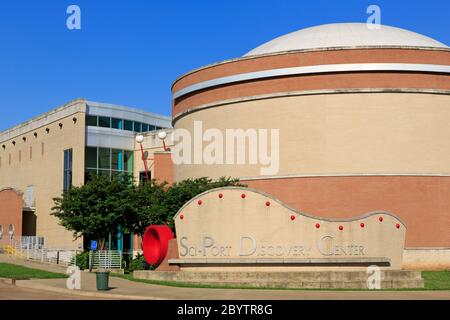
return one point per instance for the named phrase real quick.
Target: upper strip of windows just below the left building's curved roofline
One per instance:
(114, 123)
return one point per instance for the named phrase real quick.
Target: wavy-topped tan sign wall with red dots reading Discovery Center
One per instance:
(240, 226)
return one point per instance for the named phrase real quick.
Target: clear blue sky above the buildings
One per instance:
(129, 52)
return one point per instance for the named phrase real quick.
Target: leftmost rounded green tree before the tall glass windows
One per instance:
(98, 207)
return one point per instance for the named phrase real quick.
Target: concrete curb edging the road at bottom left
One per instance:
(37, 286)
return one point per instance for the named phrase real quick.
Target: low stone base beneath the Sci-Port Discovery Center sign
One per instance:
(390, 279)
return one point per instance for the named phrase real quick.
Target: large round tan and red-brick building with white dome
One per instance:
(363, 117)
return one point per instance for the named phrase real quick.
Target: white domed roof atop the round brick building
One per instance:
(345, 35)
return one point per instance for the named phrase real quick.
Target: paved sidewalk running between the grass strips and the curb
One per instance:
(125, 289)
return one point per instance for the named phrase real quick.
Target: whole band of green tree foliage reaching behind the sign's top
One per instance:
(104, 205)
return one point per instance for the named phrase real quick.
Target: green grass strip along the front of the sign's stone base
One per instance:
(434, 280)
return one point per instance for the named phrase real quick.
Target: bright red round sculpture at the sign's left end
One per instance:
(155, 243)
